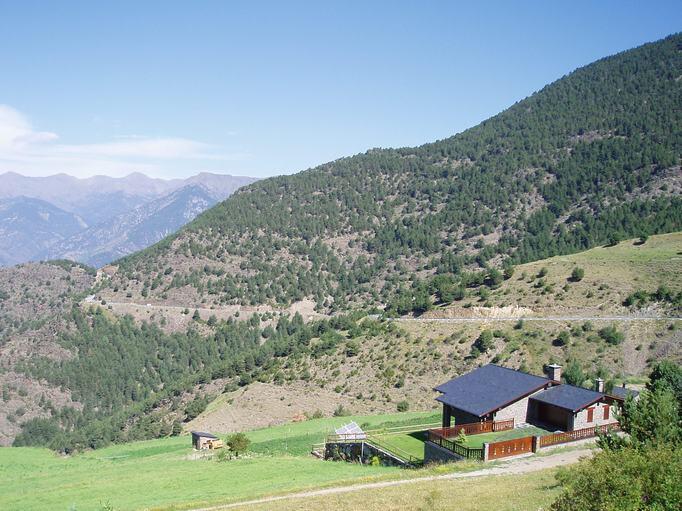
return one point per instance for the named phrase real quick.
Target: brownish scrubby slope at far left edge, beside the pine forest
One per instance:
(35, 300)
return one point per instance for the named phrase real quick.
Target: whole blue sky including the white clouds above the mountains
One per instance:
(255, 88)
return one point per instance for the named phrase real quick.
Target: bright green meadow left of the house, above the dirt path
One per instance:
(162, 474)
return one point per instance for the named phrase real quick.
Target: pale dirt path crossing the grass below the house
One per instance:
(517, 466)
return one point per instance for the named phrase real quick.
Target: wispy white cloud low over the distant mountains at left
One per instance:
(29, 151)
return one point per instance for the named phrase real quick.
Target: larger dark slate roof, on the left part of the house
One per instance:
(488, 388)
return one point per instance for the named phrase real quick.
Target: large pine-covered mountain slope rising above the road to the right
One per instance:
(593, 157)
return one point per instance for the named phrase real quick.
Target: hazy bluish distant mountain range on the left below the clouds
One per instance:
(98, 219)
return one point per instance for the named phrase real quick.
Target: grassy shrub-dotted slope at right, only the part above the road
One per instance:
(608, 276)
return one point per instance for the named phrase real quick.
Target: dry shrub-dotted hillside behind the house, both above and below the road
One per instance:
(371, 369)
